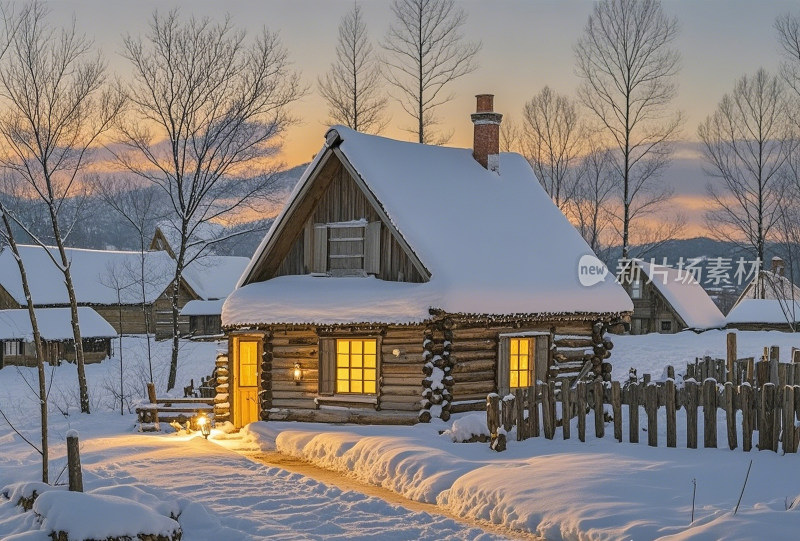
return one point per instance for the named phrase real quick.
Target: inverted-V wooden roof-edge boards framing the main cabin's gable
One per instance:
(289, 225)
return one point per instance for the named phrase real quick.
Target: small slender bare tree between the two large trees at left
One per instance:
(141, 209)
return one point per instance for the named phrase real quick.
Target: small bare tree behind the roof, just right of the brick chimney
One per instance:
(553, 141)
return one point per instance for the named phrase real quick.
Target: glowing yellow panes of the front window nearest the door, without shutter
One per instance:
(356, 366)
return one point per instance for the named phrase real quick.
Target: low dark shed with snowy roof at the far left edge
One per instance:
(55, 327)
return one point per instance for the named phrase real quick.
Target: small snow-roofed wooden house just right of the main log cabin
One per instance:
(667, 300)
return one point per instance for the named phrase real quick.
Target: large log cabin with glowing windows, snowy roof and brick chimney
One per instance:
(403, 282)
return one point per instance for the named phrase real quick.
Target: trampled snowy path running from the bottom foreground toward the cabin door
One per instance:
(252, 501)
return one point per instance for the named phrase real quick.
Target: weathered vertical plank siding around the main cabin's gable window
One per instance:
(342, 200)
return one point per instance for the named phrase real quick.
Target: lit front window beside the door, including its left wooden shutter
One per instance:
(349, 366)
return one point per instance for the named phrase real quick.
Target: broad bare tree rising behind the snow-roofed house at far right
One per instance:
(746, 143)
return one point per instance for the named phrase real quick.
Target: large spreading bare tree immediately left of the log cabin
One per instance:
(208, 111)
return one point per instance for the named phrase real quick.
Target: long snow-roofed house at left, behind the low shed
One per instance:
(107, 281)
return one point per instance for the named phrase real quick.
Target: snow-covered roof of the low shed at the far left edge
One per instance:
(55, 324)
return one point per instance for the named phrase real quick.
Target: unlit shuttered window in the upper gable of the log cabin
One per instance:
(344, 248)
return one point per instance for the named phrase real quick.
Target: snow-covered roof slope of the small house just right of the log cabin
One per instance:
(686, 296)
